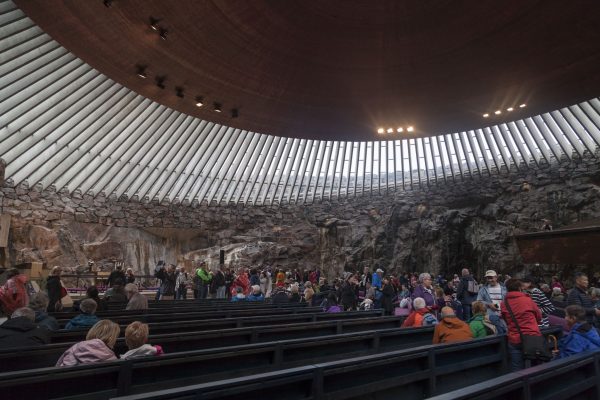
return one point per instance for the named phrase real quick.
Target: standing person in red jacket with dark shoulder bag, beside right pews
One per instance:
(528, 316)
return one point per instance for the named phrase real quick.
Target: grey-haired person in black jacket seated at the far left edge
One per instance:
(21, 330)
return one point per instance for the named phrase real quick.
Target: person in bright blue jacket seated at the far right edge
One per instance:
(582, 336)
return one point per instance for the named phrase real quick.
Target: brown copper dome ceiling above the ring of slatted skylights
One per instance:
(339, 69)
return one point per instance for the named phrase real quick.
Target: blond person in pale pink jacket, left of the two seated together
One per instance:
(97, 347)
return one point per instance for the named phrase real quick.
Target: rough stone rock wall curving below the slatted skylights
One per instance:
(439, 228)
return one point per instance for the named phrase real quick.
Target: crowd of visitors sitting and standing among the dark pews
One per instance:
(459, 308)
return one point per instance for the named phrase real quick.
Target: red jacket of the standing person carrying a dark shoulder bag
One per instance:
(527, 314)
